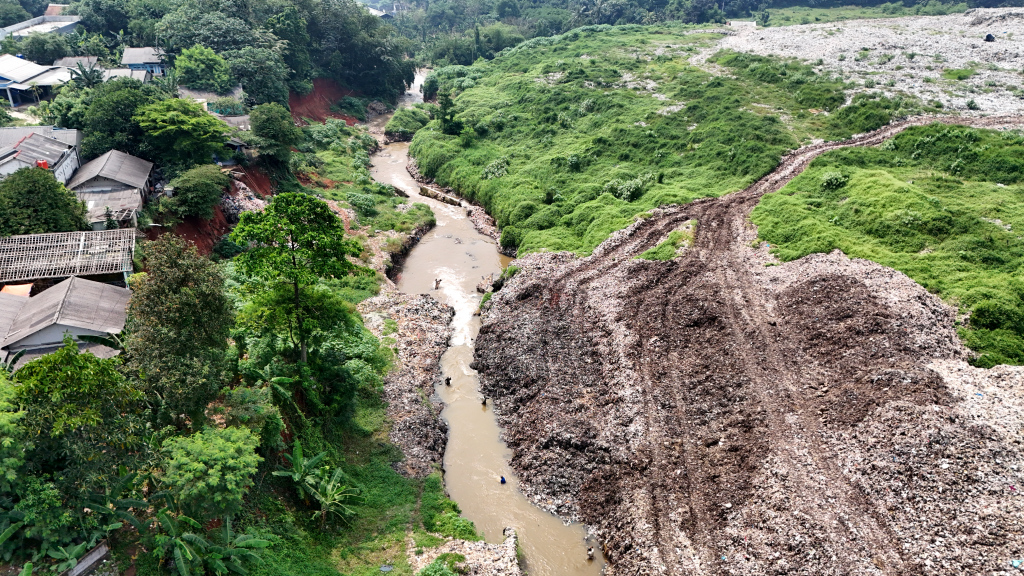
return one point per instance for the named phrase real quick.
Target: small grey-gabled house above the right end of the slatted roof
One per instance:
(115, 182)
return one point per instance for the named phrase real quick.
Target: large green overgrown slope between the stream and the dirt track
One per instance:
(566, 140)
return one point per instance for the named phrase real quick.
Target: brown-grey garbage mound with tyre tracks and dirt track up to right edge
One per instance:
(716, 416)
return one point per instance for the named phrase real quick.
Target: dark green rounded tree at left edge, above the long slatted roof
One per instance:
(32, 201)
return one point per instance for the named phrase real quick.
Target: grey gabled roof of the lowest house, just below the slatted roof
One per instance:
(76, 303)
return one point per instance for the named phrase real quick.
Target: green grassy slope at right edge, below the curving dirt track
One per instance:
(943, 204)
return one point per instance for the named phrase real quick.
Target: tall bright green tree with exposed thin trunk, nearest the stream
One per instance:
(295, 242)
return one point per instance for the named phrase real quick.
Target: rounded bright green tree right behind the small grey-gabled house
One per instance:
(182, 133)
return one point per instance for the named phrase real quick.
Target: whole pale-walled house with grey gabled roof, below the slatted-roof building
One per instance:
(75, 307)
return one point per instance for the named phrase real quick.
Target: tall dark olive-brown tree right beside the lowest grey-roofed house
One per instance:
(178, 328)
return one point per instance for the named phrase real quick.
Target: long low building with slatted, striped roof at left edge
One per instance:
(37, 257)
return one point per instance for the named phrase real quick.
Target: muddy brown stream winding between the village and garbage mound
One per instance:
(476, 459)
